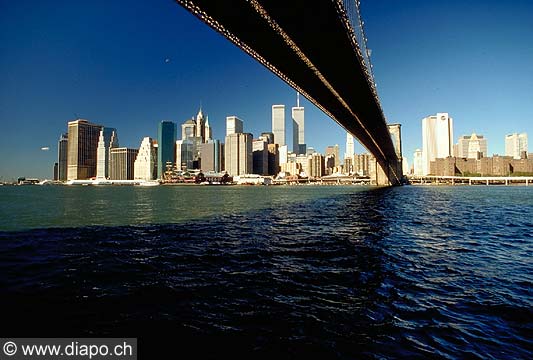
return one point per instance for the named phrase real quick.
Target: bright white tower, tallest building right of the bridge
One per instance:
(437, 139)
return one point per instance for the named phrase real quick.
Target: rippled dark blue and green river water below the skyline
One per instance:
(304, 272)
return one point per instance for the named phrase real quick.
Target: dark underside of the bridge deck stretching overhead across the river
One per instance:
(309, 45)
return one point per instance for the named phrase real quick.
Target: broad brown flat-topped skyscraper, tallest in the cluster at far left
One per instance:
(82, 147)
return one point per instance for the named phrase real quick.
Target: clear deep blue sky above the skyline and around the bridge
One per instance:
(105, 61)
